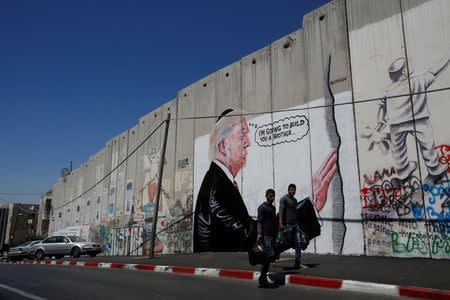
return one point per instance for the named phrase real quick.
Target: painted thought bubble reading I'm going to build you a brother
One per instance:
(287, 130)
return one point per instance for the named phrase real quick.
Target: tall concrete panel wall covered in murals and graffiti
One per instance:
(351, 107)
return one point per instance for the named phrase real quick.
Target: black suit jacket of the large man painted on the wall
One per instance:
(221, 220)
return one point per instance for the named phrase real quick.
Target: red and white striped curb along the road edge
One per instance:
(340, 284)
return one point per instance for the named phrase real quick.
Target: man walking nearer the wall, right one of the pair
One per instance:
(288, 216)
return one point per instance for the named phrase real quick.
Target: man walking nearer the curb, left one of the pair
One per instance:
(267, 228)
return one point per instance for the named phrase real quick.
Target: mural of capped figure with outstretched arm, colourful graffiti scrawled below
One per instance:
(407, 214)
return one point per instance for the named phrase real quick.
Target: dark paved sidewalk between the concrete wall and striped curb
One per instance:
(416, 272)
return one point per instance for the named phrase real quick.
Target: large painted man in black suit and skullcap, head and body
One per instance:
(221, 220)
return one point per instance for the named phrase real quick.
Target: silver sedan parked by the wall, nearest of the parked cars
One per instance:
(59, 246)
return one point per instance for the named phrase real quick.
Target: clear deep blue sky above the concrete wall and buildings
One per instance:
(73, 74)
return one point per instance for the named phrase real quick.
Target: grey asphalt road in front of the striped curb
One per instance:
(60, 282)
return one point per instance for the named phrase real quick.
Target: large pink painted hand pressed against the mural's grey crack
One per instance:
(322, 179)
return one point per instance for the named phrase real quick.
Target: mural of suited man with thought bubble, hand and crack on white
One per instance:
(223, 219)
